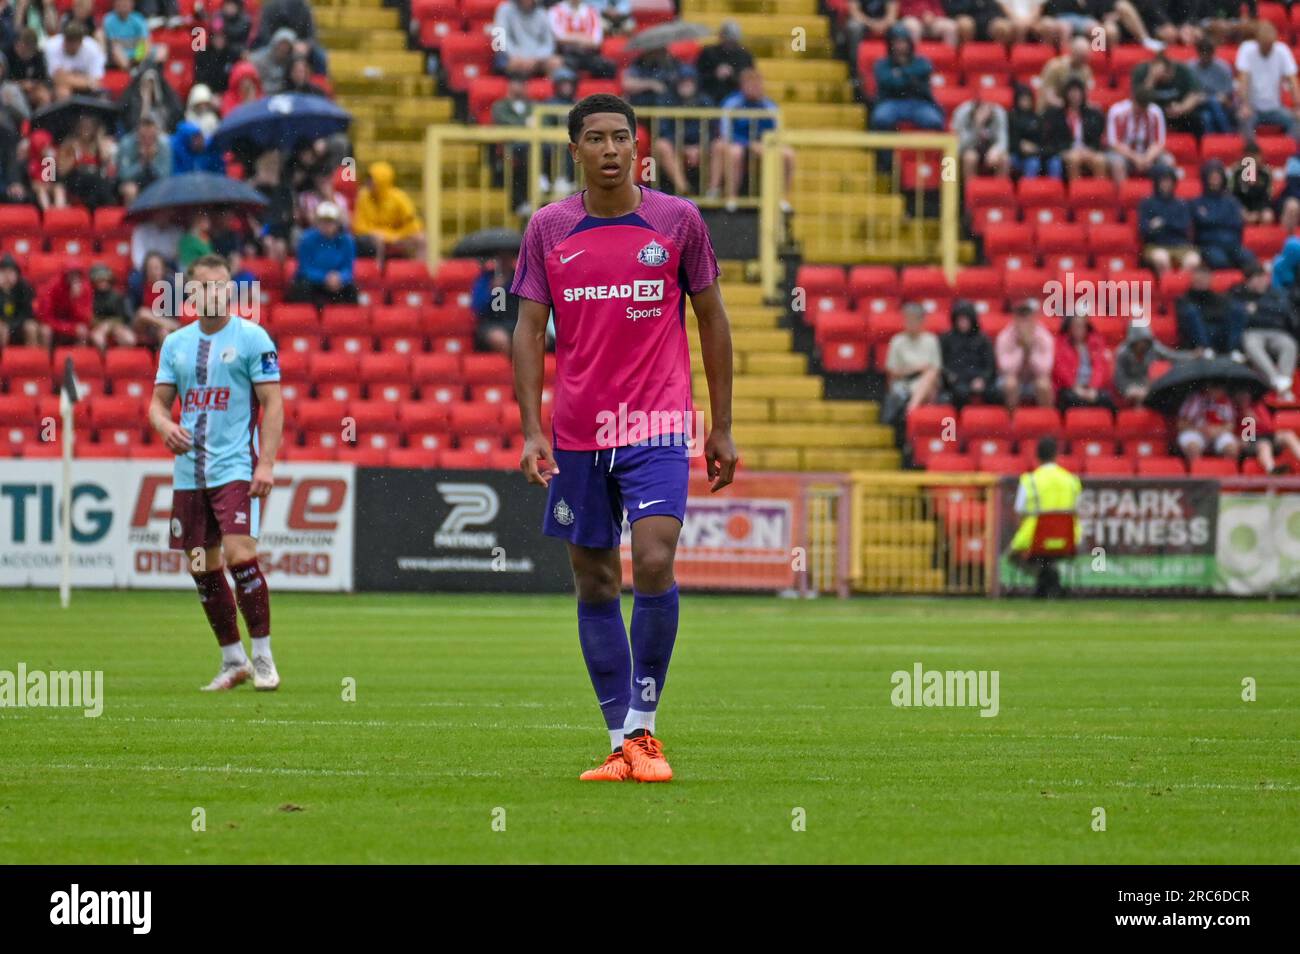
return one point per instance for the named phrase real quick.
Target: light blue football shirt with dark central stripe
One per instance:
(215, 378)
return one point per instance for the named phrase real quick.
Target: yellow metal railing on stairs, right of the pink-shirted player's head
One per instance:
(853, 206)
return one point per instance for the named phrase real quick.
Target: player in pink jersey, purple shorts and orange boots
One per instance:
(617, 263)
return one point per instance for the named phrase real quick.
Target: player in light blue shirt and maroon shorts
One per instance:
(224, 370)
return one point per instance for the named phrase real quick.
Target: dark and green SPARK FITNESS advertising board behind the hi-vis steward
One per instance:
(1138, 536)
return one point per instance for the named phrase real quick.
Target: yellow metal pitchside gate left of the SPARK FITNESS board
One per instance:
(922, 532)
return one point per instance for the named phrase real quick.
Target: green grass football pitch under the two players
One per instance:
(474, 713)
